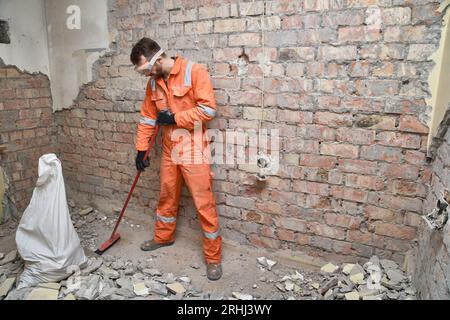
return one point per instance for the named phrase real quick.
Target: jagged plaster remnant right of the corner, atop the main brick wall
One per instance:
(73, 51)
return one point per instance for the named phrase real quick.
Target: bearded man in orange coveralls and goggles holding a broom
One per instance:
(179, 96)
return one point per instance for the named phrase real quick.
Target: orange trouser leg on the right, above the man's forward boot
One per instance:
(198, 180)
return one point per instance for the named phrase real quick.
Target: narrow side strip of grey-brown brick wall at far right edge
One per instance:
(431, 269)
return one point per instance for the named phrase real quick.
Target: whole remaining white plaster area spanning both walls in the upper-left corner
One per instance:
(45, 39)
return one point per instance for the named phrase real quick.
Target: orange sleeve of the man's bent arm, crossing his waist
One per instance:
(205, 109)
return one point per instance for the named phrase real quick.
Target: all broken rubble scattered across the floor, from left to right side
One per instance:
(112, 278)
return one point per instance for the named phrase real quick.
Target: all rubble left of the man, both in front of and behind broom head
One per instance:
(103, 277)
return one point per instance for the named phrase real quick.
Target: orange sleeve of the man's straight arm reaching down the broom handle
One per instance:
(147, 122)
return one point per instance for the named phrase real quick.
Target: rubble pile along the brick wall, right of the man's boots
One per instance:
(375, 280)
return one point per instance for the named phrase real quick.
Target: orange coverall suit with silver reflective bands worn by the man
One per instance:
(189, 95)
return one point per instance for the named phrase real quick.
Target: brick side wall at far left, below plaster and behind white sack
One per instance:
(26, 127)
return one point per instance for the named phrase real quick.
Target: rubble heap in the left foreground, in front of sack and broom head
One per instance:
(103, 278)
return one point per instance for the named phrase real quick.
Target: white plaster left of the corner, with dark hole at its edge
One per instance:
(28, 49)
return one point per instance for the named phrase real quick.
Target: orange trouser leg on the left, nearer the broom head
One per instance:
(167, 210)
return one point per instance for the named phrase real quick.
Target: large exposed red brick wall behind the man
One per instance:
(348, 100)
